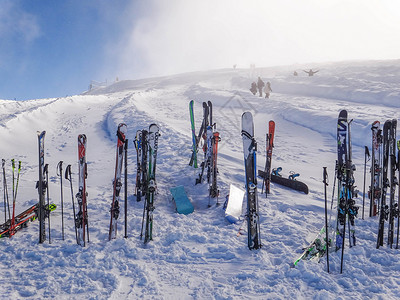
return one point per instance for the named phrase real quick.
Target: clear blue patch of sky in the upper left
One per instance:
(55, 48)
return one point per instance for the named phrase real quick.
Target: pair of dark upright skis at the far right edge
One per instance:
(389, 183)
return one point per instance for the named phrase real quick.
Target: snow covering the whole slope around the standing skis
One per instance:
(200, 256)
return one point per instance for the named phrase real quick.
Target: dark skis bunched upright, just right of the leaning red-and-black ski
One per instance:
(146, 144)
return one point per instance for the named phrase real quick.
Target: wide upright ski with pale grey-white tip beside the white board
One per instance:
(250, 150)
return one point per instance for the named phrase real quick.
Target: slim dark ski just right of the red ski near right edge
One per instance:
(384, 209)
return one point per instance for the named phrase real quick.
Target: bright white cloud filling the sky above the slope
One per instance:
(187, 35)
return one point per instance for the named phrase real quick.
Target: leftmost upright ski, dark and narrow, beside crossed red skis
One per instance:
(41, 186)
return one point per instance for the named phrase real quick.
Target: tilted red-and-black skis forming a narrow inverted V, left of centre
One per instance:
(121, 154)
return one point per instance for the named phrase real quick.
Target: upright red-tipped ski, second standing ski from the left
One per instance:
(81, 197)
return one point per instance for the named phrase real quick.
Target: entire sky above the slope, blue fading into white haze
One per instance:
(55, 48)
